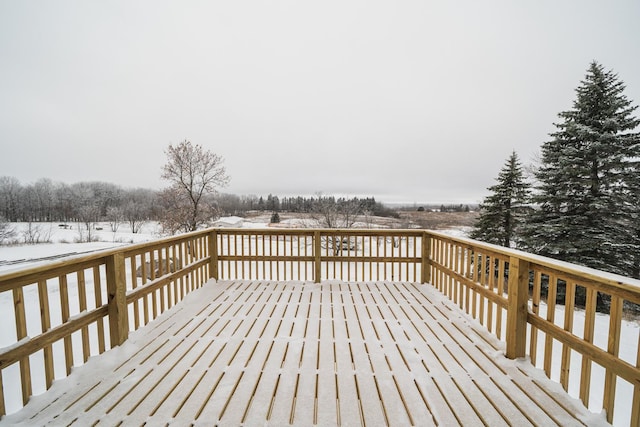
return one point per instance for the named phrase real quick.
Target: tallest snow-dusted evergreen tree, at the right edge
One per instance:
(584, 193)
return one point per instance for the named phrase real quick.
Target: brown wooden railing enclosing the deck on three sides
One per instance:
(550, 311)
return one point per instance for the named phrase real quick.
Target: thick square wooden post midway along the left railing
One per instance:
(117, 299)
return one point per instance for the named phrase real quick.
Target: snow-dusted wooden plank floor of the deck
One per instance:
(279, 353)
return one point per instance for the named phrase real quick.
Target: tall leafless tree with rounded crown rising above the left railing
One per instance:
(193, 173)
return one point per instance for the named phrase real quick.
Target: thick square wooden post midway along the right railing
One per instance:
(518, 296)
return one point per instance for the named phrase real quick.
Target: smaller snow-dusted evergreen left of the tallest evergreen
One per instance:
(502, 212)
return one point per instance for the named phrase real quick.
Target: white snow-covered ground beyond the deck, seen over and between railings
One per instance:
(21, 256)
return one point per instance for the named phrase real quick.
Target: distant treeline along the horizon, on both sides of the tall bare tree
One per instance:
(49, 201)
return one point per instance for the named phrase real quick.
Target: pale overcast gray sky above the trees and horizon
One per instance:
(412, 101)
